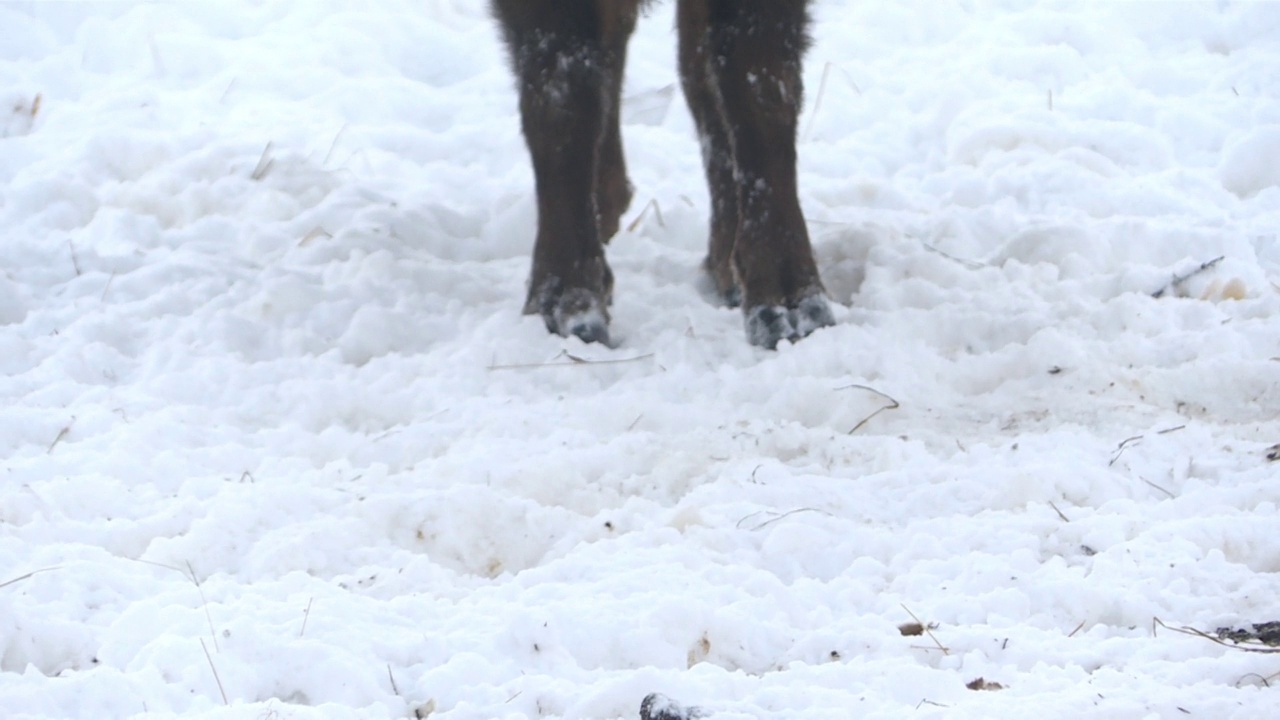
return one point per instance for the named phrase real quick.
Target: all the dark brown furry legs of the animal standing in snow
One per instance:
(740, 65)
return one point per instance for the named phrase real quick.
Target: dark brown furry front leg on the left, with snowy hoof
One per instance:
(565, 54)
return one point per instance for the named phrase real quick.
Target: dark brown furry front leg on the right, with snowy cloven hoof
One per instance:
(753, 60)
